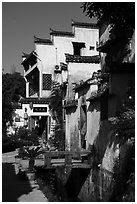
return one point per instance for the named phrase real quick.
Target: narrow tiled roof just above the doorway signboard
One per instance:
(34, 100)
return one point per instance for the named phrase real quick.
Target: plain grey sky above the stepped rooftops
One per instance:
(22, 20)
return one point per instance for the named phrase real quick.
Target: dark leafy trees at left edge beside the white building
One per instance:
(13, 86)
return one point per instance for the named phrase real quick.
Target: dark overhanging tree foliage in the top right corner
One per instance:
(121, 15)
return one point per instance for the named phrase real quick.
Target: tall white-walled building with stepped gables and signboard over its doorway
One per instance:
(66, 57)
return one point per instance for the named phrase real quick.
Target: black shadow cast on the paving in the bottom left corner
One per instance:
(12, 186)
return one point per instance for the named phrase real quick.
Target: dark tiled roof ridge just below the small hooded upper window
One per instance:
(83, 59)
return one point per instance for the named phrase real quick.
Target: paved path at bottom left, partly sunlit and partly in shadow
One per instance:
(13, 188)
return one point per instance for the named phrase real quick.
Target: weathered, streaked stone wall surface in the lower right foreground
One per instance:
(99, 183)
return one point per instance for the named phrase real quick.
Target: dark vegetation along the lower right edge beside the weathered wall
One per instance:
(124, 170)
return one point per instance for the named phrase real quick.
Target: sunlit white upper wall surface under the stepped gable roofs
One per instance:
(50, 55)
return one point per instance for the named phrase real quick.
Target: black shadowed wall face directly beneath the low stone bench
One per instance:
(69, 182)
